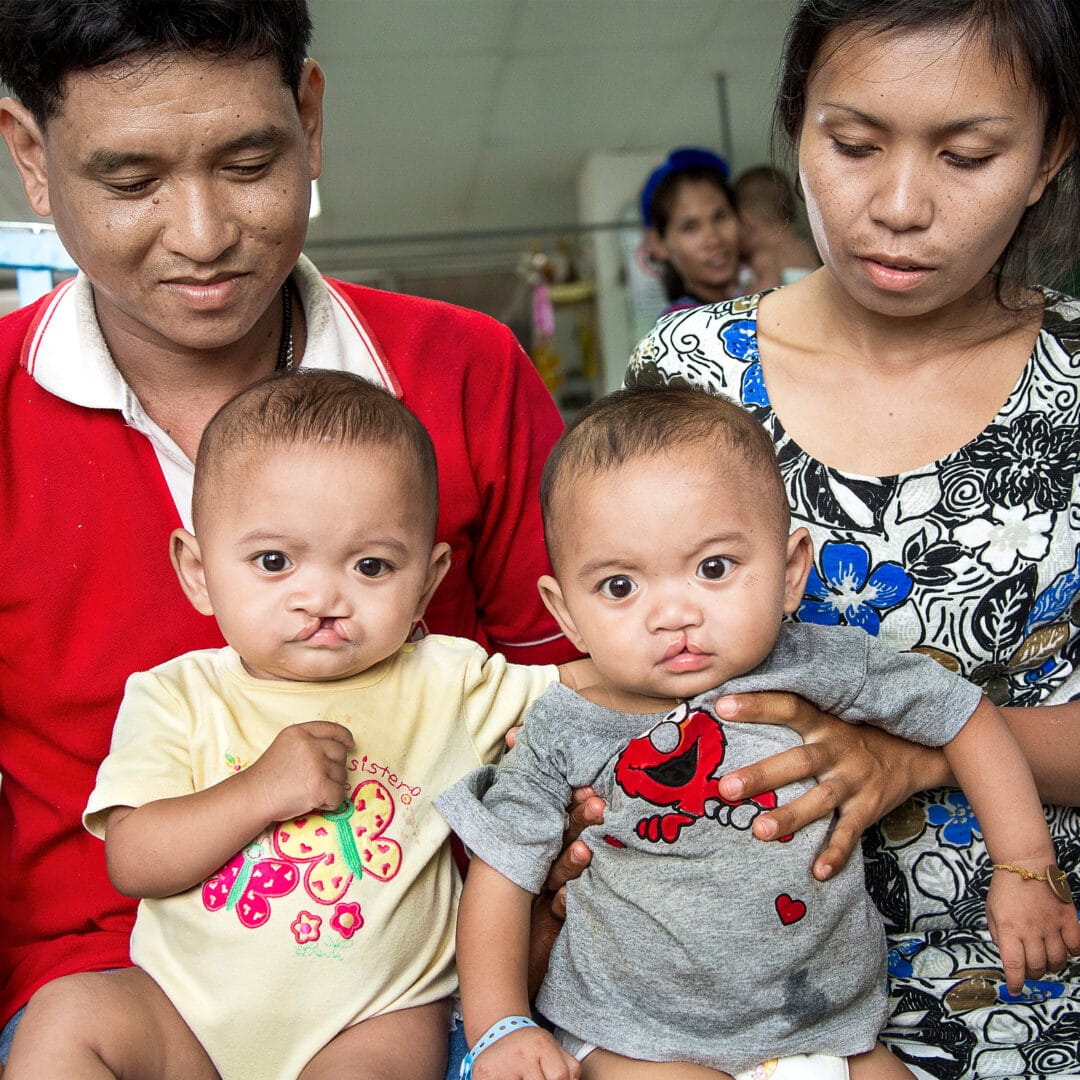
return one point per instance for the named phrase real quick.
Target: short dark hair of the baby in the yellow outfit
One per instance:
(331, 409)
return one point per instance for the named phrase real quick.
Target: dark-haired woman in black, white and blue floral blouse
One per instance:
(926, 408)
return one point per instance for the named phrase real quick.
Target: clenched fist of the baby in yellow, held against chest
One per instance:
(303, 769)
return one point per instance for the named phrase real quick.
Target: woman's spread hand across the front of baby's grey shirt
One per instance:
(862, 773)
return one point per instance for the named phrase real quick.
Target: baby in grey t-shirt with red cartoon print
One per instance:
(687, 940)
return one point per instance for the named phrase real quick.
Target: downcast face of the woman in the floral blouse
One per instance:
(919, 156)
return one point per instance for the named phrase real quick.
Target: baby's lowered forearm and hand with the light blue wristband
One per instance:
(493, 954)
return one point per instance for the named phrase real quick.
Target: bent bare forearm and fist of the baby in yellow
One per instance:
(167, 846)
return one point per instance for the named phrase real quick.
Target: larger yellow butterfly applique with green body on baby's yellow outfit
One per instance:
(344, 844)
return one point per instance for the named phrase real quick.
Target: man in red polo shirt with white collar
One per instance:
(174, 146)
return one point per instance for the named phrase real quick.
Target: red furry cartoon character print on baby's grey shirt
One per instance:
(677, 765)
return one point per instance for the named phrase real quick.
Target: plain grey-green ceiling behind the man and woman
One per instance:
(476, 116)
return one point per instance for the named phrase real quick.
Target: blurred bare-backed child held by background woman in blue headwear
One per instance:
(774, 254)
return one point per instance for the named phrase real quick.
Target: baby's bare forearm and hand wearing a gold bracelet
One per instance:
(1032, 928)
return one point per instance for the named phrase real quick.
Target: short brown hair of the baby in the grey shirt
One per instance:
(646, 422)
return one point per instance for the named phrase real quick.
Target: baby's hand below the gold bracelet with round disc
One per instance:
(1034, 930)
